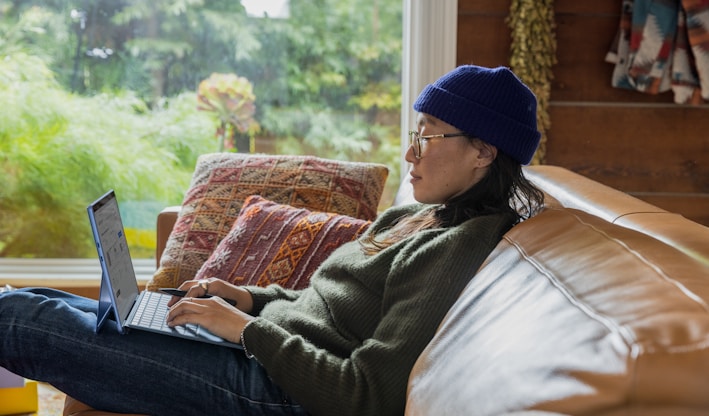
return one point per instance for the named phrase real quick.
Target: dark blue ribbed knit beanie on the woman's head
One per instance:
(489, 103)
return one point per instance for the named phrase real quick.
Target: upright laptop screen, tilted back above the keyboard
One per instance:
(113, 252)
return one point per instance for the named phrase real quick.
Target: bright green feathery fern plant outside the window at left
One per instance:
(59, 151)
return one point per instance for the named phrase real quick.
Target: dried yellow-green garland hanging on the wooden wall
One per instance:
(533, 53)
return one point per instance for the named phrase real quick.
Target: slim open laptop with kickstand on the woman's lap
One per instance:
(120, 296)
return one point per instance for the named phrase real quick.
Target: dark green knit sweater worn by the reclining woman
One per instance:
(347, 343)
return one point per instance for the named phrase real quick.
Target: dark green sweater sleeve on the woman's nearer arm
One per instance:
(425, 277)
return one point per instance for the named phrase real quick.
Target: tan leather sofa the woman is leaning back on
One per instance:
(597, 306)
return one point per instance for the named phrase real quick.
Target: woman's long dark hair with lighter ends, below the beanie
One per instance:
(503, 190)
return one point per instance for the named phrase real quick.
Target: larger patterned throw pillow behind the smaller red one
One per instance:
(222, 181)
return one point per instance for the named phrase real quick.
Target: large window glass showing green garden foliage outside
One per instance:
(101, 94)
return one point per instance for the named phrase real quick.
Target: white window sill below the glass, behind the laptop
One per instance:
(61, 273)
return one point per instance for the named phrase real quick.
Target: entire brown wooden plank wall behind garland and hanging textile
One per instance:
(639, 143)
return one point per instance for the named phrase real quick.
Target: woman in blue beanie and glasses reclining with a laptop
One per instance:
(346, 344)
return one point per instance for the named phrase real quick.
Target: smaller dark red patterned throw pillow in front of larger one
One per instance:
(275, 243)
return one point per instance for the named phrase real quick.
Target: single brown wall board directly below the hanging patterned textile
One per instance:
(634, 149)
